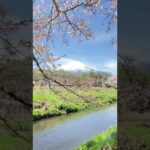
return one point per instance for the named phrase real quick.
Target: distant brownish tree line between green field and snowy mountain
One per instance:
(76, 79)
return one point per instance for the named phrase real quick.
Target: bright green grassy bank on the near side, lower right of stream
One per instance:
(106, 140)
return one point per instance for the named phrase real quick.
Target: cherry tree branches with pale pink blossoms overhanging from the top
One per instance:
(65, 19)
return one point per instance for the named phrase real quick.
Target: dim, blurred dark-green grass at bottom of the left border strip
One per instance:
(17, 135)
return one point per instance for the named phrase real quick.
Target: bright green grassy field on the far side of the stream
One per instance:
(49, 104)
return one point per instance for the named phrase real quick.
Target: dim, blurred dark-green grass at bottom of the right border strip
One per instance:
(134, 133)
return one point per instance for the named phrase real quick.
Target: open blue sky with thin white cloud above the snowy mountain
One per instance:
(95, 53)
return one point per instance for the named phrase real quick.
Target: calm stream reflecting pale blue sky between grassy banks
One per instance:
(68, 132)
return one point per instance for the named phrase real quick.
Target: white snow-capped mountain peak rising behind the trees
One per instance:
(74, 66)
